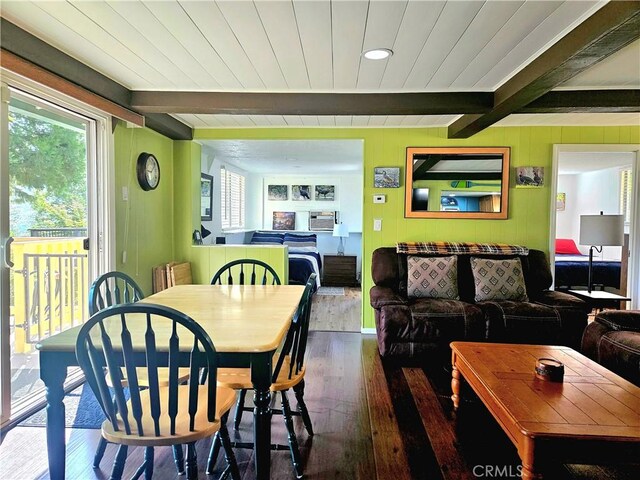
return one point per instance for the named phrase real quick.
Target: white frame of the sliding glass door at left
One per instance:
(100, 192)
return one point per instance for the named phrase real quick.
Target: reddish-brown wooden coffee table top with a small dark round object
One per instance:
(591, 401)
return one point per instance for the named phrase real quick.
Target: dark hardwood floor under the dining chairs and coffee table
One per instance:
(372, 419)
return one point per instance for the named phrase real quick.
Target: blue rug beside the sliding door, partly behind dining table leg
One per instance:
(82, 410)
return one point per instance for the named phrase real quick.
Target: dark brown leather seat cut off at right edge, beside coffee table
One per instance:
(613, 340)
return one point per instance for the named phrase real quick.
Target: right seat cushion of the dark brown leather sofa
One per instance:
(521, 322)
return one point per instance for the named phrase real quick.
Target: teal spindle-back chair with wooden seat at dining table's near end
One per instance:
(155, 415)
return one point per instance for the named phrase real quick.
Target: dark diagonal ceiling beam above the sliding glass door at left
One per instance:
(48, 58)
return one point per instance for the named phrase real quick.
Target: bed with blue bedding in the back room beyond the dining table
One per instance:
(304, 258)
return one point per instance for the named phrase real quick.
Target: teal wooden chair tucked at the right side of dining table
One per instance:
(288, 372)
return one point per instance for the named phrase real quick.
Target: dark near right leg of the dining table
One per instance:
(261, 379)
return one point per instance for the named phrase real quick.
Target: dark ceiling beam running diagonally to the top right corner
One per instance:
(608, 30)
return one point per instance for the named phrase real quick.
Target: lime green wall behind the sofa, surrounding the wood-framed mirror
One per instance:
(528, 222)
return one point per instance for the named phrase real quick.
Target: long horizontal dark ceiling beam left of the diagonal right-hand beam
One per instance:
(312, 103)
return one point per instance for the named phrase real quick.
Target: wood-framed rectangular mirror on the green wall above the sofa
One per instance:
(457, 182)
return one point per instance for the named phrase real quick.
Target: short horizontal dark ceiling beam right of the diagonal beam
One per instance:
(585, 101)
